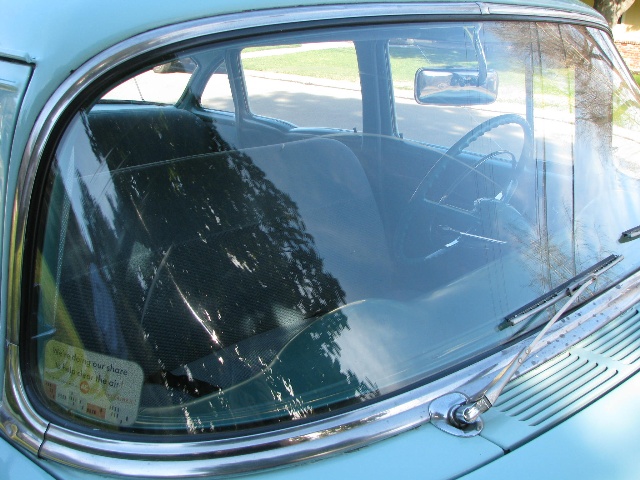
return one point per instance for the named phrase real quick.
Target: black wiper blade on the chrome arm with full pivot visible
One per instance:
(562, 291)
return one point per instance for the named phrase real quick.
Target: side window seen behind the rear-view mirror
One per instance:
(453, 59)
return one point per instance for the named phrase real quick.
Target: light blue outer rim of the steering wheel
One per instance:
(440, 167)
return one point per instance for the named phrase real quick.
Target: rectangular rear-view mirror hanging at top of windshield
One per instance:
(455, 86)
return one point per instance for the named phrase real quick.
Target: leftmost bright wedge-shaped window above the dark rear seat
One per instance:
(163, 84)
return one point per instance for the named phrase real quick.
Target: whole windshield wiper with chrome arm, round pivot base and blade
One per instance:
(458, 414)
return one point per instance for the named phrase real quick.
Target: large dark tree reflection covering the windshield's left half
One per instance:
(181, 258)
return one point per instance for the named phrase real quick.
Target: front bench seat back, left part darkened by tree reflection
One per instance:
(257, 239)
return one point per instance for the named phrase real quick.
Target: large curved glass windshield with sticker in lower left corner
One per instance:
(323, 219)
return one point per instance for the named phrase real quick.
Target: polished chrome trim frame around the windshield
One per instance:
(291, 443)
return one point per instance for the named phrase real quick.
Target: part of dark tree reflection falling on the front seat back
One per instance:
(212, 241)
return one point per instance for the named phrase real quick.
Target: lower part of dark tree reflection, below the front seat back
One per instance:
(305, 378)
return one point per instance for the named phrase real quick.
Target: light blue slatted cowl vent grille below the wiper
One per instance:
(558, 388)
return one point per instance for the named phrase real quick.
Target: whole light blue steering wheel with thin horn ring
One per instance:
(449, 225)
